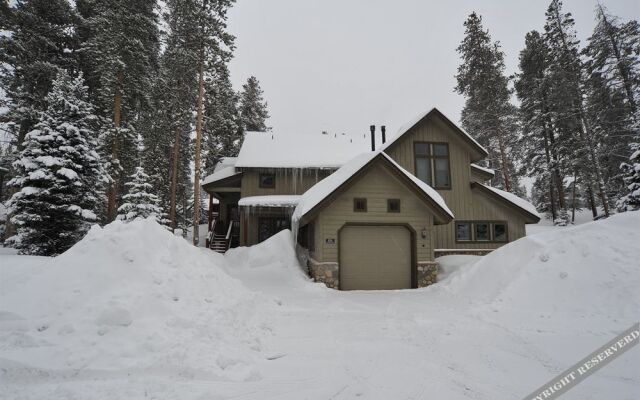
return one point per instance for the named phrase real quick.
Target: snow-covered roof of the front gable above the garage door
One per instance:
(325, 187)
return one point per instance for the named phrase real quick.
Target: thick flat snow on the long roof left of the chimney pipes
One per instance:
(278, 150)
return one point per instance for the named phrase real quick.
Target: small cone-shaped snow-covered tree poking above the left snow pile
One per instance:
(139, 202)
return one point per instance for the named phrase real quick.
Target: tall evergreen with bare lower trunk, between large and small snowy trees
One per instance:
(120, 59)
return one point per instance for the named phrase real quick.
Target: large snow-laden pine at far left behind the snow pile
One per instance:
(59, 173)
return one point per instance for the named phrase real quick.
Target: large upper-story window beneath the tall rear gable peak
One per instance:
(432, 164)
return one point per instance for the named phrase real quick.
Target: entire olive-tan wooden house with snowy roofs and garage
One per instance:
(372, 219)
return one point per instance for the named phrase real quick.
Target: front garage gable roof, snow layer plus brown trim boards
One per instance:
(313, 198)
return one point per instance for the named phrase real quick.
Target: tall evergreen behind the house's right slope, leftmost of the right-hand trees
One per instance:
(487, 112)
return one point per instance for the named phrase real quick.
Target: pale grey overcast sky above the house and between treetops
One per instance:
(341, 65)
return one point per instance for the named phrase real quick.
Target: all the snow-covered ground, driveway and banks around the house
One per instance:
(134, 312)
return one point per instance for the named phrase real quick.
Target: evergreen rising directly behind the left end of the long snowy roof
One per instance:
(222, 128)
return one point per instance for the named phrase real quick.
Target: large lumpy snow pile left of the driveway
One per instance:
(131, 298)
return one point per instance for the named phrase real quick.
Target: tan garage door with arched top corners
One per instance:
(375, 257)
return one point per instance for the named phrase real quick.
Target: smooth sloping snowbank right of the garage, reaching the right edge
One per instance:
(579, 271)
